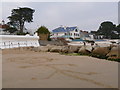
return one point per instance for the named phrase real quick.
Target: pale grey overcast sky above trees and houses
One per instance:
(86, 15)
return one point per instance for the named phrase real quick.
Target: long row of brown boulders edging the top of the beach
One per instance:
(95, 51)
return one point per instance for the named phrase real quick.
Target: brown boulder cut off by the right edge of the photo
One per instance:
(114, 53)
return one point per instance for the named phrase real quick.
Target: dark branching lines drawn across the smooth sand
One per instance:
(69, 73)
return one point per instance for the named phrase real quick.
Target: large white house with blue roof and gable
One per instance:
(66, 32)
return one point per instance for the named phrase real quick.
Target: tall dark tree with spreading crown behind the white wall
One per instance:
(20, 16)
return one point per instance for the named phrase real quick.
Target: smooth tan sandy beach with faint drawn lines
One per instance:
(29, 69)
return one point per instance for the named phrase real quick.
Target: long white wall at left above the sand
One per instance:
(13, 41)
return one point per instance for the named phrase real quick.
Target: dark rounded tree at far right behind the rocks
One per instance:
(107, 29)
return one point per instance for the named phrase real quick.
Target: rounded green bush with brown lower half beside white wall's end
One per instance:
(43, 33)
